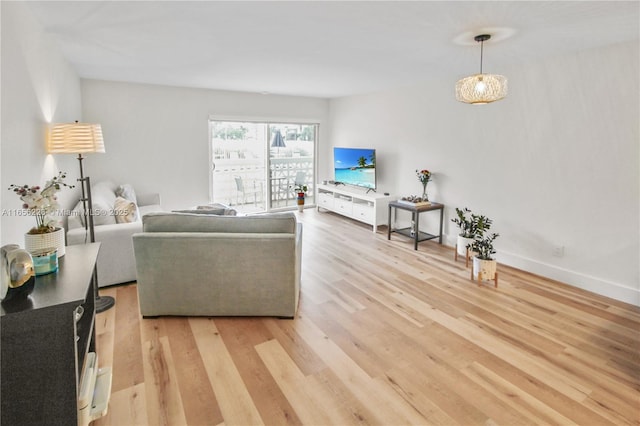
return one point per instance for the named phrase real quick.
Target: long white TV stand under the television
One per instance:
(370, 208)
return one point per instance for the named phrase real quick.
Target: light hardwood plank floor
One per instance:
(384, 335)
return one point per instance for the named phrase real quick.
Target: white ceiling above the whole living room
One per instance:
(320, 48)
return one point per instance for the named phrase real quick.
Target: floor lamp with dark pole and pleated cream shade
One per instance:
(81, 138)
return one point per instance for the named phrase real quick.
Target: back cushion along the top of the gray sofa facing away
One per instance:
(192, 222)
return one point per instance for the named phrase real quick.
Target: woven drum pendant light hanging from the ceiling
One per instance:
(481, 88)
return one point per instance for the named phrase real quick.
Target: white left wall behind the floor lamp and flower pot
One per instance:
(38, 87)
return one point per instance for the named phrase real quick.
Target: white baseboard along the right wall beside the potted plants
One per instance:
(596, 285)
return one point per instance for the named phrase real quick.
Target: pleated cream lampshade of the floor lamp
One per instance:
(75, 138)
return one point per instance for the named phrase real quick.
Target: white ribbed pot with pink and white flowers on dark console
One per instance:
(41, 203)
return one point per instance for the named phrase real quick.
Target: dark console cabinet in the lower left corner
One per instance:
(45, 340)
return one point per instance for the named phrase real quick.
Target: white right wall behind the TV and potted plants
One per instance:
(554, 164)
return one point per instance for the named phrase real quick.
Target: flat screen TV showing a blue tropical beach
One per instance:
(355, 166)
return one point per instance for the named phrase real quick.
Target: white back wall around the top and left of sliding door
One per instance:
(156, 137)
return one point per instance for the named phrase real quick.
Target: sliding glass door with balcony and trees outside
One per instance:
(255, 166)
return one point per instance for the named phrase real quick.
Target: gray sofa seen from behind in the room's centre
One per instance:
(211, 265)
